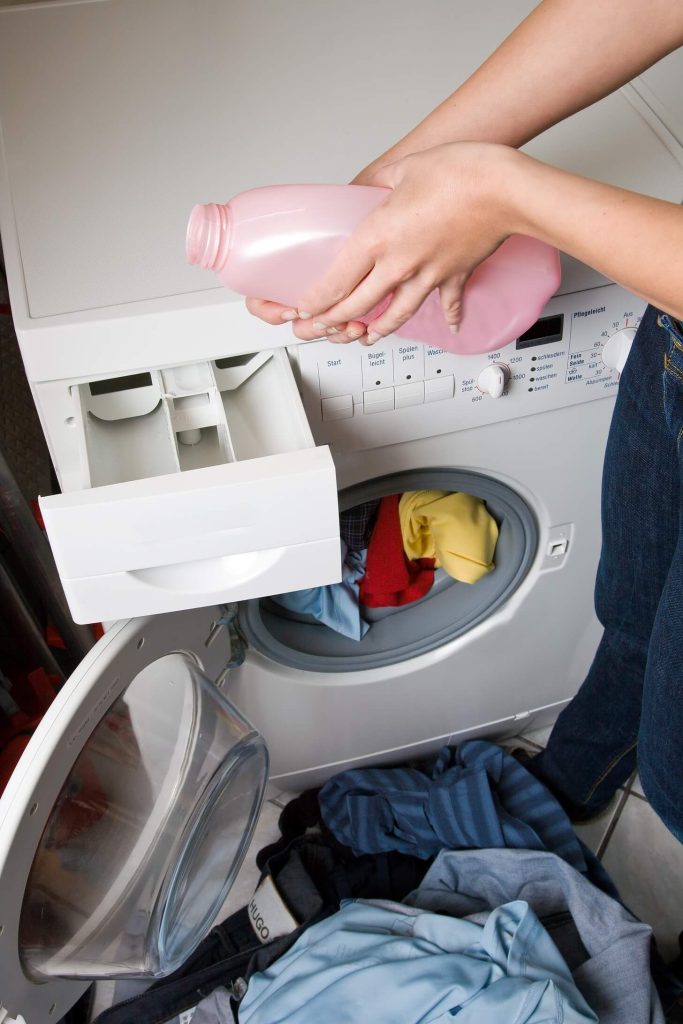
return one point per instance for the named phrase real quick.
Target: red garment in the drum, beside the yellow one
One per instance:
(392, 580)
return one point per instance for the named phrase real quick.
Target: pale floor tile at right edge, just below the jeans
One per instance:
(647, 865)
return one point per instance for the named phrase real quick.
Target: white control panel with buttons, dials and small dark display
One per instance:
(398, 390)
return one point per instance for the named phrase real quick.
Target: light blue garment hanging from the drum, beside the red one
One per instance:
(336, 606)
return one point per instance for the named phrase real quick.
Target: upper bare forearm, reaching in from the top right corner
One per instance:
(565, 57)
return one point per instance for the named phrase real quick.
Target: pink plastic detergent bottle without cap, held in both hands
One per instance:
(278, 241)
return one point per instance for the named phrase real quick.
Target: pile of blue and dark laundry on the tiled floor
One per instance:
(451, 889)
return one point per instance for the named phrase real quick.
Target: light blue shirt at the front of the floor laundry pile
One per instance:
(383, 963)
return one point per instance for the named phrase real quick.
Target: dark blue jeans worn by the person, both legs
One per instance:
(629, 712)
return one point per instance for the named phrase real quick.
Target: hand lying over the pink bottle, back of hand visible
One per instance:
(446, 215)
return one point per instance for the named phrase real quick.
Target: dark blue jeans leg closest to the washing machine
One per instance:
(592, 749)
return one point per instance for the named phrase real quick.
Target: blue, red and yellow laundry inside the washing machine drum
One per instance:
(392, 547)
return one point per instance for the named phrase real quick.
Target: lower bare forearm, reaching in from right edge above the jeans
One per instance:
(632, 239)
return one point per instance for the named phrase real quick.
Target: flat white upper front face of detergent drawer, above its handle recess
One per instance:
(233, 510)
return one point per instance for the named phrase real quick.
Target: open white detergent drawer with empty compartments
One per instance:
(200, 484)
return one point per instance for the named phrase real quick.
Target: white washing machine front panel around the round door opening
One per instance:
(533, 653)
